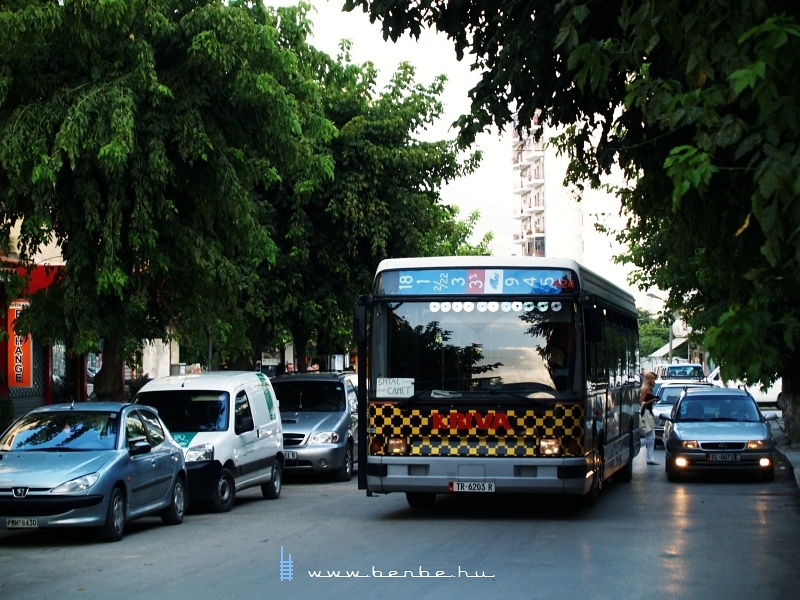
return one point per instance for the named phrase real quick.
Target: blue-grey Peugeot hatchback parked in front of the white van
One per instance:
(98, 464)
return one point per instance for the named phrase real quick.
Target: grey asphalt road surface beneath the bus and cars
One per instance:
(711, 538)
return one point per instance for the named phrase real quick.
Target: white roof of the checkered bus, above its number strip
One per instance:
(590, 281)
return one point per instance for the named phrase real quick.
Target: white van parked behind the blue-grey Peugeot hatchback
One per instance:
(229, 426)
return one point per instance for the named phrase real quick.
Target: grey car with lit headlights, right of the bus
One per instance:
(718, 429)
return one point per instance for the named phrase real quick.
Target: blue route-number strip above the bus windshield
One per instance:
(476, 281)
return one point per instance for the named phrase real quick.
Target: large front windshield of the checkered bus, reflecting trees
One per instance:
(513, 347)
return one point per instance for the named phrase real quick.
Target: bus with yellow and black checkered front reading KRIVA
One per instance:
(487, 374)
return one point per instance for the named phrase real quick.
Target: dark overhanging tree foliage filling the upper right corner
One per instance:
(697, 102)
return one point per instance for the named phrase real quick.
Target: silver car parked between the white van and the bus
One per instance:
(320, 420)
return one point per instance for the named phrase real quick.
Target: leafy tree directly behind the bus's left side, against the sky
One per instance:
(382, 199)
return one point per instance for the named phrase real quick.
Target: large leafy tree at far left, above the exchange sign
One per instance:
(145, 137)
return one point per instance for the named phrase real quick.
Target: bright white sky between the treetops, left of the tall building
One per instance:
(488, 190)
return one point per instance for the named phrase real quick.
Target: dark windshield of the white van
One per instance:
(188, 411)
